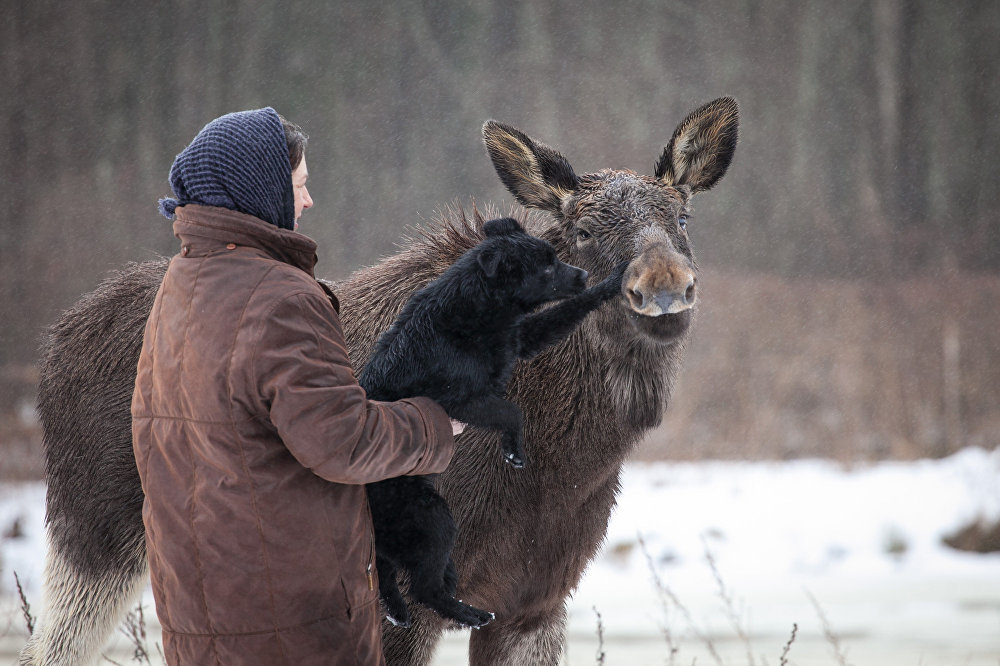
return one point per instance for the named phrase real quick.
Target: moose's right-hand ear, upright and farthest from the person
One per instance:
(702, 146)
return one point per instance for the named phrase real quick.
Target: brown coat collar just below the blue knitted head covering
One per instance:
(204, 230)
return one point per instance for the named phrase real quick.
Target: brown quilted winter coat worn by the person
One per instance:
(253, 440)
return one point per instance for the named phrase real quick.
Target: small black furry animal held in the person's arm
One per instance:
(456, 341)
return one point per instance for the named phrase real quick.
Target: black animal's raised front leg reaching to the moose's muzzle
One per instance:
(543, 329)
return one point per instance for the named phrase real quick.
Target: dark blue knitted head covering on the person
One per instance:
(239, 162)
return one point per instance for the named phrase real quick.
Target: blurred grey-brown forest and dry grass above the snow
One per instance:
(850, 259)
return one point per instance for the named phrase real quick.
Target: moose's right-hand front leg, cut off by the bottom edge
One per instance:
(511, 643)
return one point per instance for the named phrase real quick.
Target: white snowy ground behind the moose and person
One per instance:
(734, 555)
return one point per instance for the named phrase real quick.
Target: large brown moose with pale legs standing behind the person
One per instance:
(586, 401)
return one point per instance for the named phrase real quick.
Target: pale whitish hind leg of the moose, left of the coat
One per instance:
(81, 610)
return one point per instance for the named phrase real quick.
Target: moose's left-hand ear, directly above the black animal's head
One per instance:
(537, 176)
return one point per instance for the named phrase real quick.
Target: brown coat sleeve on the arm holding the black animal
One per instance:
(304, 376)
